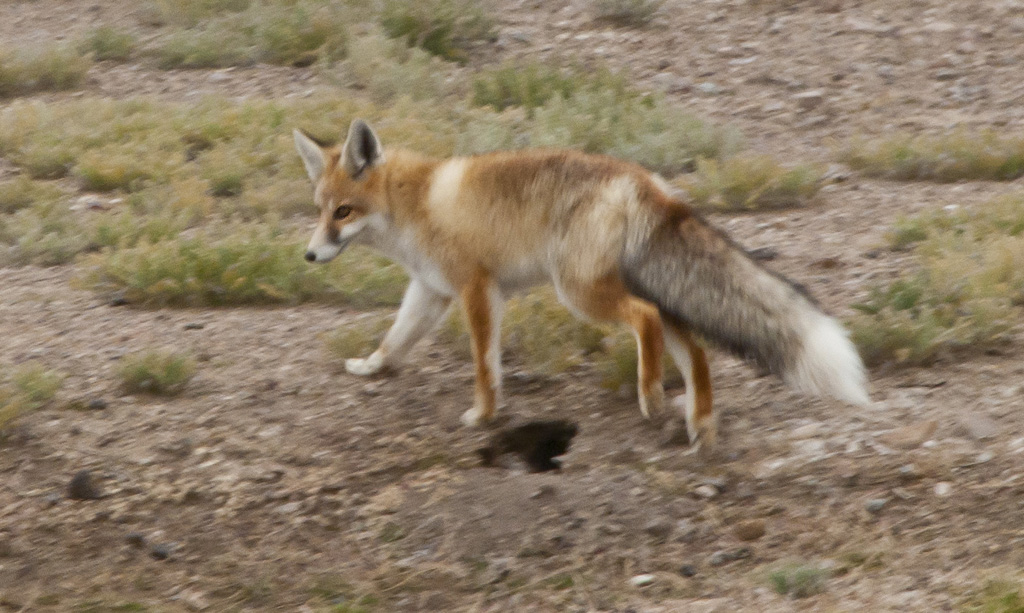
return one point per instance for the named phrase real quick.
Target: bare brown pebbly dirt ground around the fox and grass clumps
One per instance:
(276, 483)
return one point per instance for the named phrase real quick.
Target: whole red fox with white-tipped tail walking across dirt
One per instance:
(619, 244)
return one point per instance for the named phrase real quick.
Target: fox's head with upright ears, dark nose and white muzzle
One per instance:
(343, 179)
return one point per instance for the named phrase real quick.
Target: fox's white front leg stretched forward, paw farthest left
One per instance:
(421, 310)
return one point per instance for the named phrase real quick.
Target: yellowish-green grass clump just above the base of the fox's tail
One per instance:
(752, 183)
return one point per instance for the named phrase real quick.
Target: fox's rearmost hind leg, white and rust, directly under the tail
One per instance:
(702, 424)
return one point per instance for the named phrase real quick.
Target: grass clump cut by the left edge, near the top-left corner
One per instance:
(49, 68)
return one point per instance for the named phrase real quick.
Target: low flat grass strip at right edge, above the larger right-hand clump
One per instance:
(955, 157)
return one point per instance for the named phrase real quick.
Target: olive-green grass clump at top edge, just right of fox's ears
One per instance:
(443, 28)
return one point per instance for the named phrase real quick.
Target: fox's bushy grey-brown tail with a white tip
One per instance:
(701, 279)
